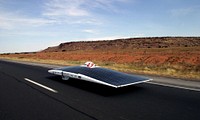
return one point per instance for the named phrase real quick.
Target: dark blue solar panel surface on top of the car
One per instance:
(105, 75)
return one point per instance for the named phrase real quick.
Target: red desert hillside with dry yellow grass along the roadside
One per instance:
(168, 56)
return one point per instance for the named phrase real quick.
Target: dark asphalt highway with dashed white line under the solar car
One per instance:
(31, 93)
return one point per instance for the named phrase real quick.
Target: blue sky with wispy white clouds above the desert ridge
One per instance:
(33, 25)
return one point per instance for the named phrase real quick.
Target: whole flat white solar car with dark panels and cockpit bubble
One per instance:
(92, 73)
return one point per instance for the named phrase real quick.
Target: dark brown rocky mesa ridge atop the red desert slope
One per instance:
(127, 44)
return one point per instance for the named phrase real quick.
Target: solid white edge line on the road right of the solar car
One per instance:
(174, 86)
